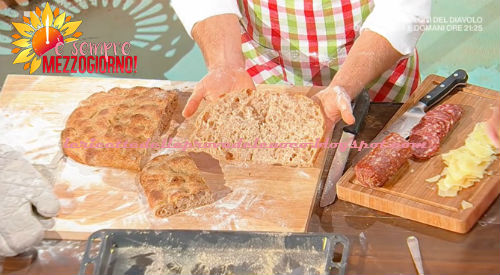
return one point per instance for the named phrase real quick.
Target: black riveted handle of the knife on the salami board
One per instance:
(458, 78)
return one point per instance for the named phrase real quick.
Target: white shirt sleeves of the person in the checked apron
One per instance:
(401, 22)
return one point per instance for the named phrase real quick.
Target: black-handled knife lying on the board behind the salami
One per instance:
(412, 117)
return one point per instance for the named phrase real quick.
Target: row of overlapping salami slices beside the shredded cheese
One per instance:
(433, 129)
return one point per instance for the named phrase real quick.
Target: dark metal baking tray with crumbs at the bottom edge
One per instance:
(137, 252)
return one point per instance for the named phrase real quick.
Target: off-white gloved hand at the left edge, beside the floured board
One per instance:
(23, 188)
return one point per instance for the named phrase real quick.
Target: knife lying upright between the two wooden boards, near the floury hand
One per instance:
(349, 132)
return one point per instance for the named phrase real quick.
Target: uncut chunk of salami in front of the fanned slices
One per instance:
(374, 169)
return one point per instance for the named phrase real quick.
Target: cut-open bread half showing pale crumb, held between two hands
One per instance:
(258, 117)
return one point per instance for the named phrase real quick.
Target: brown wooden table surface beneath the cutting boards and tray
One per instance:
(378, 240)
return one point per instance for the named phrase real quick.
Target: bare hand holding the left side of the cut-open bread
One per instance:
(215, 84)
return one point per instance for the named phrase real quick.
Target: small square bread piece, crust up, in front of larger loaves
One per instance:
(172, 184)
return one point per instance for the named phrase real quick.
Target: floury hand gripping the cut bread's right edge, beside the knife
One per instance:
(336, 104)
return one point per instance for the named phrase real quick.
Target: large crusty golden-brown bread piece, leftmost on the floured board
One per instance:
(135, 116)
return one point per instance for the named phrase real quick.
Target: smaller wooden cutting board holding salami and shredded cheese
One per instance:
(409, 195)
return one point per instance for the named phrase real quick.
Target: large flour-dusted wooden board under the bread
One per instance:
(33, 110)
